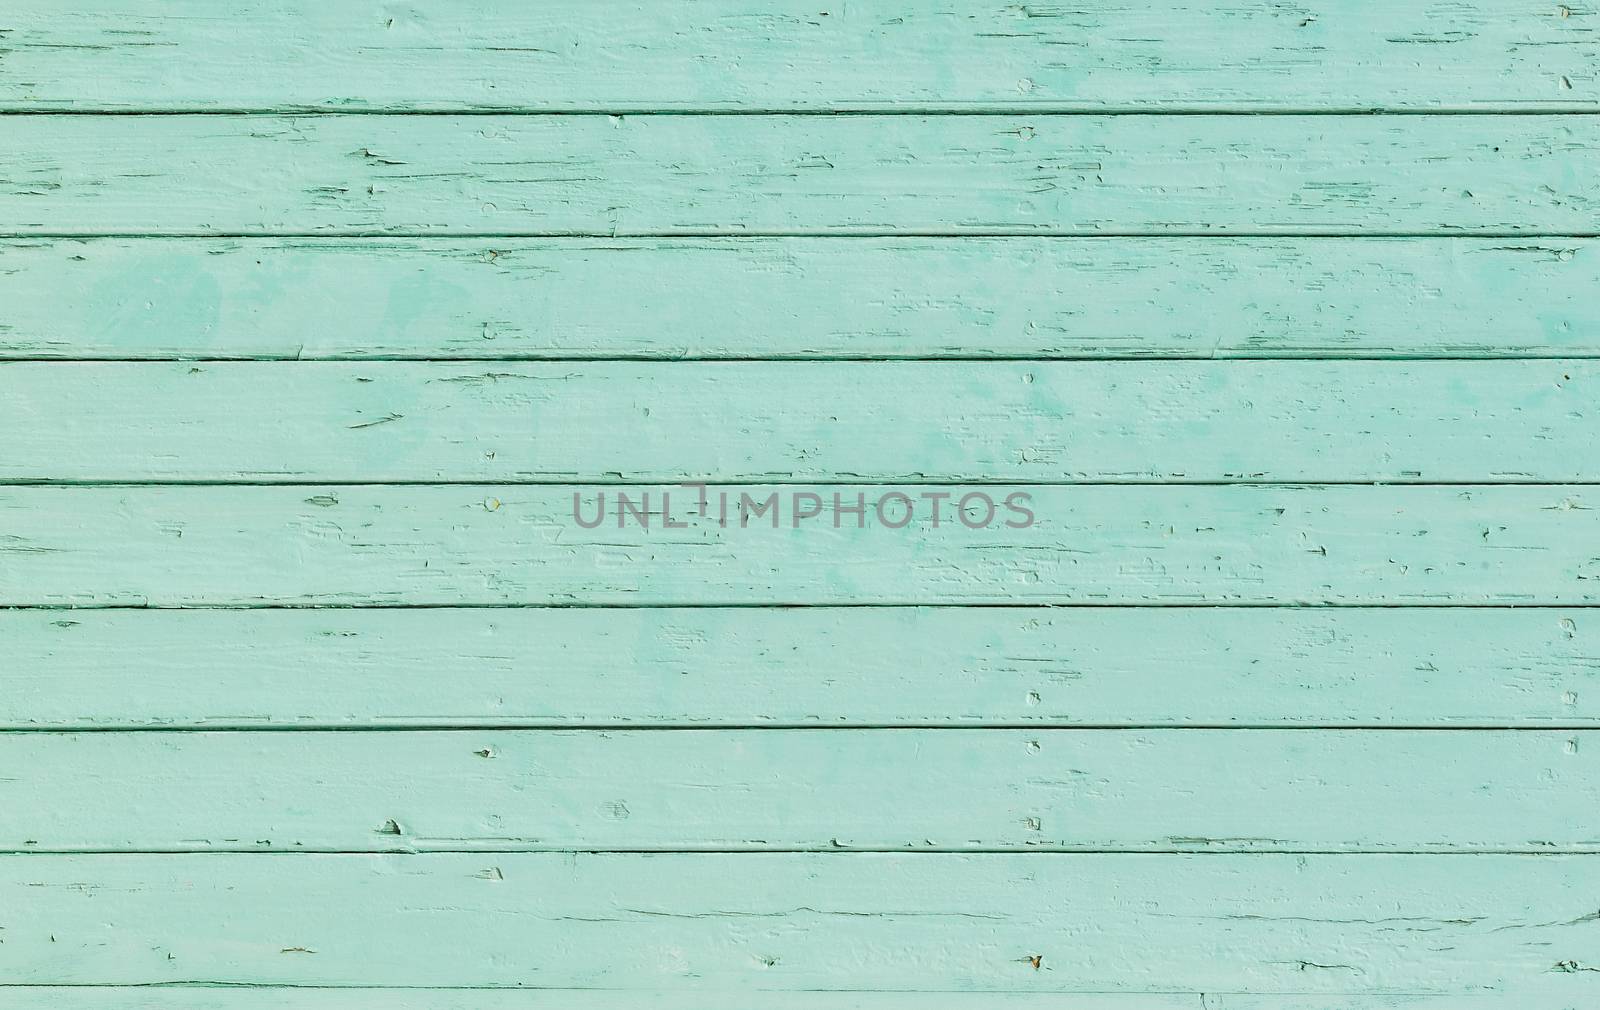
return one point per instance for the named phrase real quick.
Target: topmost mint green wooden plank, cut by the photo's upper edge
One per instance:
(788, 55)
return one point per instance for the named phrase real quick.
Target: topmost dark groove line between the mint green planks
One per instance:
(862, 110)
